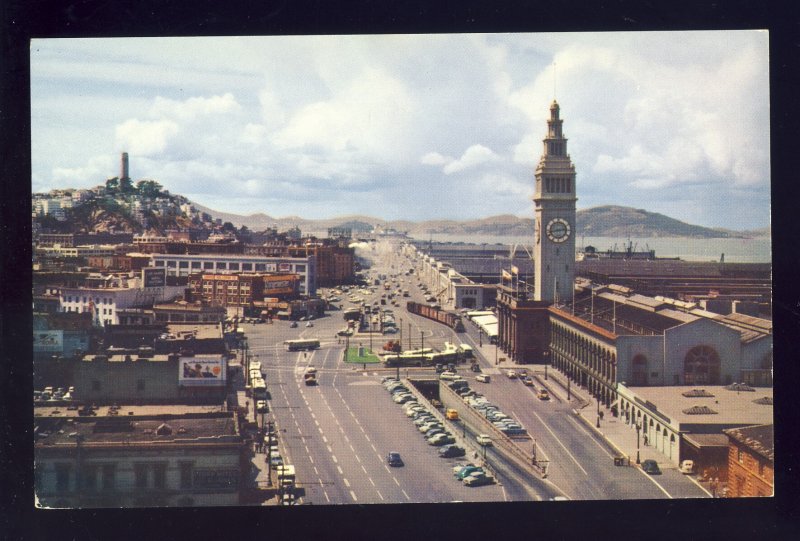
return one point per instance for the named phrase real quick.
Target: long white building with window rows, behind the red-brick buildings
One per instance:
(186, 264)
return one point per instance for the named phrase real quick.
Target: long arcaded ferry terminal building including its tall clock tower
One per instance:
(604, 336)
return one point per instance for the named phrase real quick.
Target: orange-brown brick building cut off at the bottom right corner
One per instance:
(751, 461)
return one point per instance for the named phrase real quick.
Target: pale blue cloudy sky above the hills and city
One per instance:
(412, 126)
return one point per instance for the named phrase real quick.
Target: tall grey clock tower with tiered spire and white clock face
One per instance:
(554, 206)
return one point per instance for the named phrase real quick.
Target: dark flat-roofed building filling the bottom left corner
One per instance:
(136, 457)
